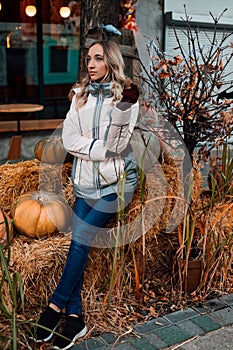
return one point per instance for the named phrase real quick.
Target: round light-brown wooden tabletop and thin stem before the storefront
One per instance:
(19, 109)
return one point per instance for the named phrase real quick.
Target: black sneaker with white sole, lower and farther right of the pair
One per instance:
(74, 329)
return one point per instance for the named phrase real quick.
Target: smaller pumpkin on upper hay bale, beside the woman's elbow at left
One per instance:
(50, 150)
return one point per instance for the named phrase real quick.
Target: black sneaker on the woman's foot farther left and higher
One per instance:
(49, 320)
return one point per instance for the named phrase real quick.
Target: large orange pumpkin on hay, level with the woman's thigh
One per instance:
(40, 214)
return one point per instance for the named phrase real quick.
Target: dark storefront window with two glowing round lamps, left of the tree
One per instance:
(21, 53)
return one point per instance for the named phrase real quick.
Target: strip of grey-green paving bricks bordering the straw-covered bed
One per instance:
(169, 330)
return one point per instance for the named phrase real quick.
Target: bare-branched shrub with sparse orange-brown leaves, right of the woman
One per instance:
(186, 88)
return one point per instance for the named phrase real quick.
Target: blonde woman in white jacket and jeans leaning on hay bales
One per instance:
(97, 129)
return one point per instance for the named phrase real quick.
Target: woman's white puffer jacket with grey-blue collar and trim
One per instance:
(92, 130)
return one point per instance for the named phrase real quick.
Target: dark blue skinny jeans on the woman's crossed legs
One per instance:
(89, 216)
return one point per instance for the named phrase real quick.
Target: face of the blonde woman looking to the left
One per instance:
(96, 66)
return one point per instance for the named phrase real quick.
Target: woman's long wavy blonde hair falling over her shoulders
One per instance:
(115, 73)
